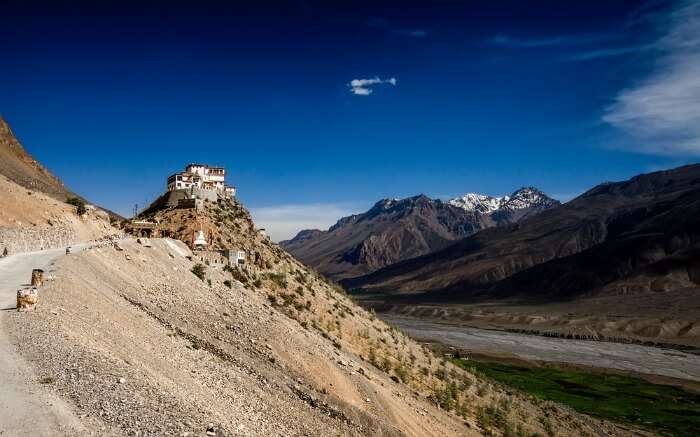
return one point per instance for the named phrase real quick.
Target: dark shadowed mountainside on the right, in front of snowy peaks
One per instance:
(627, 237)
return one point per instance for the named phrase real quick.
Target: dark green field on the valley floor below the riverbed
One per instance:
(624, 399)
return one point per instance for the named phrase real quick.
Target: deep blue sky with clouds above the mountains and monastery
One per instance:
(318, 110)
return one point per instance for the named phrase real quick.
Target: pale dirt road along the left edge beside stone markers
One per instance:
(26, 408)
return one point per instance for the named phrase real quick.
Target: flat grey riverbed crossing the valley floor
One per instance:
(629, 357)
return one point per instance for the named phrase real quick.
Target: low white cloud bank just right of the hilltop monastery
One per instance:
(282, 222)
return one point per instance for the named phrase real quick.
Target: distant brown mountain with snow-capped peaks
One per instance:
(395, 230)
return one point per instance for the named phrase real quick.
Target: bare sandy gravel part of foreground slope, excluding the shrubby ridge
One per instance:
(145, 346)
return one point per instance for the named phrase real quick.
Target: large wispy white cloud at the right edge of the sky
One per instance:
(661, 114)
